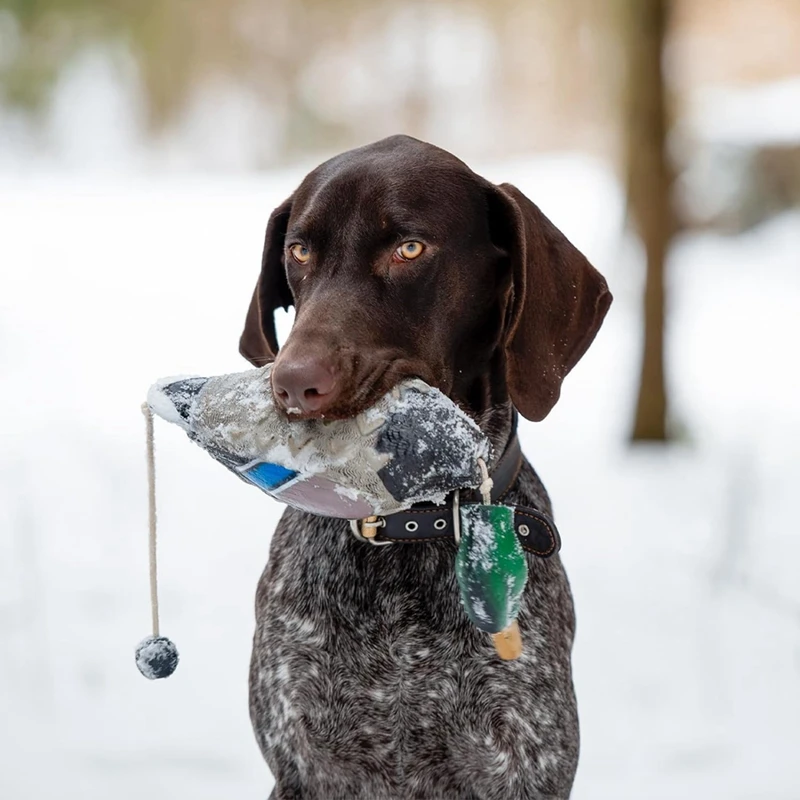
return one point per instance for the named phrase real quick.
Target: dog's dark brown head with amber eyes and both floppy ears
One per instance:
(400, 261)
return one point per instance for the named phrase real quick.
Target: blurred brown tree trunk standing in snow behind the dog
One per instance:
(649, 183)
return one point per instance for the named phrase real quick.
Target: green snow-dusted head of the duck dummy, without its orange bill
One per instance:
(490, 567)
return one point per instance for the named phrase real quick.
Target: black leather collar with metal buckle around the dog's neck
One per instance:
(425, 522)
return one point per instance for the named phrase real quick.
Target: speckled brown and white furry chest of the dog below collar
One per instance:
(365, 667)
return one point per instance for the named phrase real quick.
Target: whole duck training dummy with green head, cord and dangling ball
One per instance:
(413, 445)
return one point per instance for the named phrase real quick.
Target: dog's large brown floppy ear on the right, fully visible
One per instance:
(557, 302)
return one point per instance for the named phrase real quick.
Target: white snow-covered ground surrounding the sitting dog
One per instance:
(683, 563)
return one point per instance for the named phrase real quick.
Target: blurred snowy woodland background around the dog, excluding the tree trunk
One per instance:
(129, 245)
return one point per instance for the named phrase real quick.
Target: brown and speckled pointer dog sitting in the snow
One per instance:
(367, 680)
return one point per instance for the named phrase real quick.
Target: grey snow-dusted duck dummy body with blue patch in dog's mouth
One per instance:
(413, 445)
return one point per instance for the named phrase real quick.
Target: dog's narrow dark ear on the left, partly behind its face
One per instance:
(259, 342)
